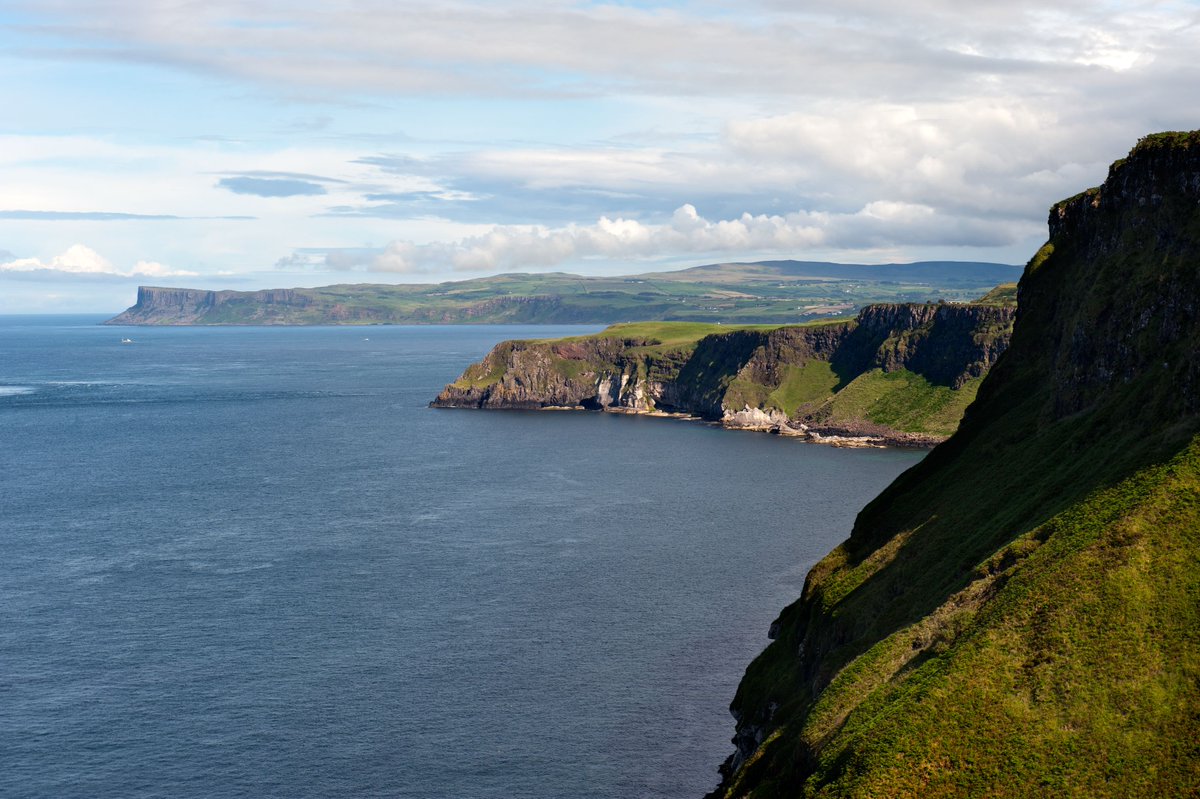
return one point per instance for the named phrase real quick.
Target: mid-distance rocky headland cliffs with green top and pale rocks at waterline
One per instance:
(785, 380)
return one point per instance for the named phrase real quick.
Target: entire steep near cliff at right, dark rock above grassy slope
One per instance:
(1018, 615)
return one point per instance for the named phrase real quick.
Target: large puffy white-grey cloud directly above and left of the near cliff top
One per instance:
(977, 157)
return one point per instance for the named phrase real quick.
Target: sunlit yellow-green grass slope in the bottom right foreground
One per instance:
(1009, 704)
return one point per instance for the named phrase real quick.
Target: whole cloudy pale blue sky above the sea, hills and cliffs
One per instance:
(223, 145)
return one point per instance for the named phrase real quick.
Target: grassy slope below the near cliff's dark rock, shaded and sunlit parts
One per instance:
(1017, 633)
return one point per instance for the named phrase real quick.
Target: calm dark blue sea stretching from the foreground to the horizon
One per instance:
(251, 562)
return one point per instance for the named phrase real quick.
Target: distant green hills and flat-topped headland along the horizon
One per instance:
(753, 293)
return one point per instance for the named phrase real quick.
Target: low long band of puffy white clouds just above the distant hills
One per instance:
(523, 248)
